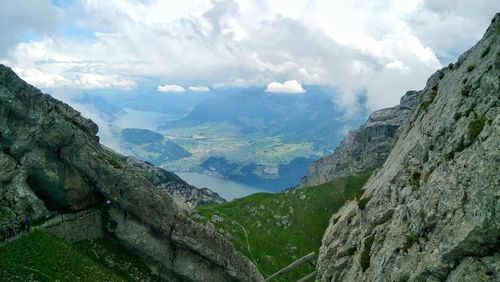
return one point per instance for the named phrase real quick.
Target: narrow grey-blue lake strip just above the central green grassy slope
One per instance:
(226, 188)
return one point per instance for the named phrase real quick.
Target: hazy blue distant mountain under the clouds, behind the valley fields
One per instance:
(310, 117)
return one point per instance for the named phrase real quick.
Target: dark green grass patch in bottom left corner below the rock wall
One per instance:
(40, 256)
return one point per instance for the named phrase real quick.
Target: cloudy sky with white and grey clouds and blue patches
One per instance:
(379, 48)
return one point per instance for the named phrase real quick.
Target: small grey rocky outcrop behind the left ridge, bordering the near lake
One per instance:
(184, 195)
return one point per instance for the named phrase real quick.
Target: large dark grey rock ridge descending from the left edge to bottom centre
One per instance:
(51, 162)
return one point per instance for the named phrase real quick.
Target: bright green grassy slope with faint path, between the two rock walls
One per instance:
(274, 230)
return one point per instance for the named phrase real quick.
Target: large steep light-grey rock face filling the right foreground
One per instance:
(432, 212)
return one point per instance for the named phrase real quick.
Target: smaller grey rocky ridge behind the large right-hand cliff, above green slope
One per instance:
(365, 148)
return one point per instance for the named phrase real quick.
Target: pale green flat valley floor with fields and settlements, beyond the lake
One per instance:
(224, 139)
